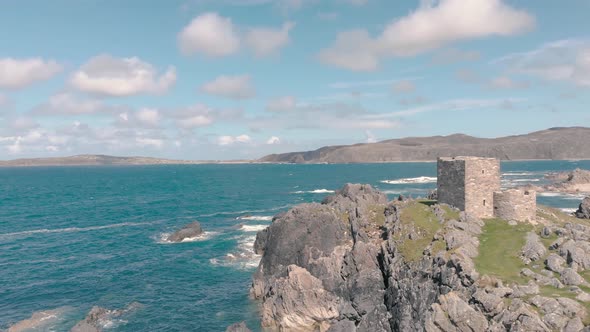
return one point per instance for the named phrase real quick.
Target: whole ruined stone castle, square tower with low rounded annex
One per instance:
(472, 184)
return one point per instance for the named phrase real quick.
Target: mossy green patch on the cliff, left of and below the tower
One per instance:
(419, 219)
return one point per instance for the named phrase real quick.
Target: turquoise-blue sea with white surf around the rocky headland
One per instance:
(74, 237)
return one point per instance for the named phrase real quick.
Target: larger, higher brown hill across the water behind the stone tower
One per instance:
(553, 143)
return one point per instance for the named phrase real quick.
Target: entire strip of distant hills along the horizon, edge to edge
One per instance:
(553, 143)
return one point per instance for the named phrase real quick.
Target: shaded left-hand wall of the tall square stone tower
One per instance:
(451, 182)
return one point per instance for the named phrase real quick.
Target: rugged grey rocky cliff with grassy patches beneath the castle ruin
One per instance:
(357, 262)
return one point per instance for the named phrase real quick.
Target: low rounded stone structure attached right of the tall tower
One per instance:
(515, 204)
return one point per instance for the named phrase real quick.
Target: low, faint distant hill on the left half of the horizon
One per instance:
(92, 160)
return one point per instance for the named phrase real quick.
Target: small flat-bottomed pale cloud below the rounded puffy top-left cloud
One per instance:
(233, 87)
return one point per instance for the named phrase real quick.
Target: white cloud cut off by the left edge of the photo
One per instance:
(20, 73)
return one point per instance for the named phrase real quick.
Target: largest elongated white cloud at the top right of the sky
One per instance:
(433, 25)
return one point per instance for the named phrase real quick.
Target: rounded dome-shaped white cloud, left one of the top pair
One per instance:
(209, 34)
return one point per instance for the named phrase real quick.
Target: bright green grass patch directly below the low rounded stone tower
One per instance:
(499, 250)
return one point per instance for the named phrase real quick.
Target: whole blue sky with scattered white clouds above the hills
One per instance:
(239, 79)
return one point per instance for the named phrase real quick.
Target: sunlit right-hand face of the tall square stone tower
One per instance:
(482, 179)
